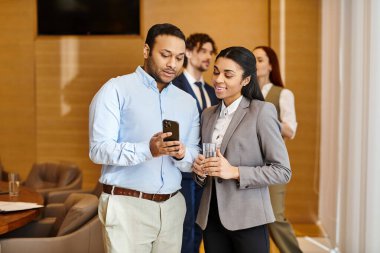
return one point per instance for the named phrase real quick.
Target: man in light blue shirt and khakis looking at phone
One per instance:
(140, 207)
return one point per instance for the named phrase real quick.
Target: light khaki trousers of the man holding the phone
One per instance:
(134, 225)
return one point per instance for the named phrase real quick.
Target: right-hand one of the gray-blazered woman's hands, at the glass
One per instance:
(219, 167)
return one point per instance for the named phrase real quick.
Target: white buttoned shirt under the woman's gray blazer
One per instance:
(224, 120)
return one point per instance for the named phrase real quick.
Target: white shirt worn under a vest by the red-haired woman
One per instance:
(286, 103)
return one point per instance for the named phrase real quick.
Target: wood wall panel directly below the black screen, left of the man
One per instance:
(69, 71)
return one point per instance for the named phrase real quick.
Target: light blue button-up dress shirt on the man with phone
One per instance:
(124, 115)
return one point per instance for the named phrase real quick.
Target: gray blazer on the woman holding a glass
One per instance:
(253, 143)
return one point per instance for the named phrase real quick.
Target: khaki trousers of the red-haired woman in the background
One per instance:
(281, 231)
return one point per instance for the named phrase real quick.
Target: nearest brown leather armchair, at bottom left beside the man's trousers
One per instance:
(70, 227)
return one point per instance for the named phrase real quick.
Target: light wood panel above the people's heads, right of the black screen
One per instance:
(229, 23)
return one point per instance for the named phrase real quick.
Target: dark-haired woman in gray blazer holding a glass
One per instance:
(235, 205)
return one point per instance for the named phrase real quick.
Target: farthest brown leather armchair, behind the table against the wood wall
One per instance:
(47, 177)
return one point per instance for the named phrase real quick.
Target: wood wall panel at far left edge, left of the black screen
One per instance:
(17, 107)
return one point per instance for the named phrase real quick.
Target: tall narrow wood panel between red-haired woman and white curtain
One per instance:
(302, 77)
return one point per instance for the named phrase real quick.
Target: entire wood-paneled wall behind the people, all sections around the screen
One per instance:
(47, 82)
